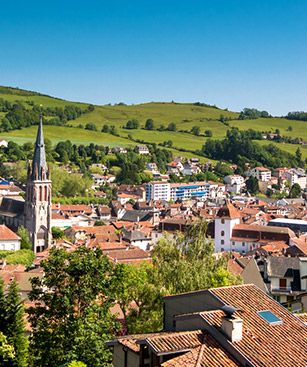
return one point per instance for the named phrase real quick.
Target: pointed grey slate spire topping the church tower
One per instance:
(39, 164)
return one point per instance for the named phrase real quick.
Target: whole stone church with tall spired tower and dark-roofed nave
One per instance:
(35, 212)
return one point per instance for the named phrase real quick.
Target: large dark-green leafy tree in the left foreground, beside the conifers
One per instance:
(72, 319)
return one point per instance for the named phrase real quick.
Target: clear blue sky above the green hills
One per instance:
(232, 53)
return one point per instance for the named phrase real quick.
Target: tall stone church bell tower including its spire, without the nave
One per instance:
(37, 215)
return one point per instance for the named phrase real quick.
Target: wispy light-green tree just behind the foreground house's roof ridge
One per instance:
(186, 263)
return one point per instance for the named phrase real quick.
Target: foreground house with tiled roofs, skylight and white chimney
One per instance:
(228, 326)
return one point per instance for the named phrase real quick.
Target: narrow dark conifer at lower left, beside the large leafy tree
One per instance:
(15, 331)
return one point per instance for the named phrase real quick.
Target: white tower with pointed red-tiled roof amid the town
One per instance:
(227, 217)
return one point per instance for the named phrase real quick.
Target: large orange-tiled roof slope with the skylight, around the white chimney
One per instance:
(263, 344)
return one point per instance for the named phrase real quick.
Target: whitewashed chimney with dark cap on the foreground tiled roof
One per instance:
(232, 326)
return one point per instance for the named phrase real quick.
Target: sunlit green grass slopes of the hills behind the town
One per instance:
(185, 115)
